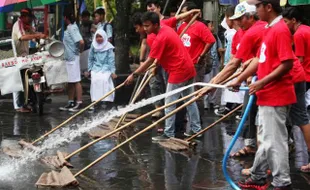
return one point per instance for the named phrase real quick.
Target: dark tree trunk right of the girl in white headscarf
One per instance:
(121, 39)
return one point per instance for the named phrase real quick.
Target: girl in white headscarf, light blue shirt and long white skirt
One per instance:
(101, 67)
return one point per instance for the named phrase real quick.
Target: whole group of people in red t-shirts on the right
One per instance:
(262, 40)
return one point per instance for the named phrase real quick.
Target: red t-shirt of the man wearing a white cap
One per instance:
(251, 41)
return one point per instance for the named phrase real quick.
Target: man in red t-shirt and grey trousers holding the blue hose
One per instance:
(275, 93)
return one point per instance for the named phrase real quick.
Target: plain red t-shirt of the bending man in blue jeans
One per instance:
(168, 49)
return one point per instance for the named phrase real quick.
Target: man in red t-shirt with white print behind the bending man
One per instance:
(198, 40)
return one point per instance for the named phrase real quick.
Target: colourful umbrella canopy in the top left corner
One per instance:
(19, 4)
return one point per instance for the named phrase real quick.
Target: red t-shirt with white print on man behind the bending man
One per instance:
(195, 38)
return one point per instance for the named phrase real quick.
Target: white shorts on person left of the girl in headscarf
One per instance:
(73, 70)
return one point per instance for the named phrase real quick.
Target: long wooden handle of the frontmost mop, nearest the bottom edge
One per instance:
(139, 133)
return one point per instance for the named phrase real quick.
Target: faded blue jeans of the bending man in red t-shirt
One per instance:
(192, 109)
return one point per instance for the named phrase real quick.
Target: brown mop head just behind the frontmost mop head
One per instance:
(56, 162)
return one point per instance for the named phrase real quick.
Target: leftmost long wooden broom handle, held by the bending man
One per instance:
(78, 113)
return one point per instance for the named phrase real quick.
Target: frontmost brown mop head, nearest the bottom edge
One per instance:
(57, 179)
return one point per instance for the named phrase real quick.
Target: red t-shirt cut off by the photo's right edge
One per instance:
(302, 47)
